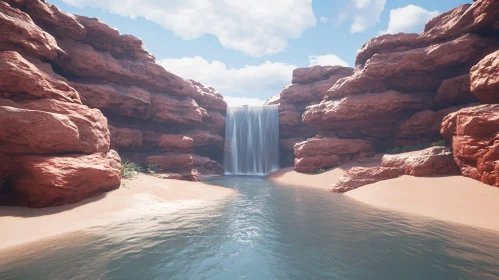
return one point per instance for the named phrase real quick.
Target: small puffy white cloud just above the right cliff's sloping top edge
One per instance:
(409, 19)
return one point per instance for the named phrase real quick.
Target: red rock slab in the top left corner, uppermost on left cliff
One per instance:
(19, 33)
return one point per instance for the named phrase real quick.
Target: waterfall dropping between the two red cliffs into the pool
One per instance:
(251, 140)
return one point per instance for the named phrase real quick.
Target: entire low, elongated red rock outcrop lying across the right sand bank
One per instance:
(434, 161)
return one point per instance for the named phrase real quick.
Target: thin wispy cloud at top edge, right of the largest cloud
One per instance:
(364, 14)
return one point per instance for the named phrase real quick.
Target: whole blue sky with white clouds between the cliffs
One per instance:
(248, 49)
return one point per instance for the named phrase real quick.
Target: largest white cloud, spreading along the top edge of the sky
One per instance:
(256, 27)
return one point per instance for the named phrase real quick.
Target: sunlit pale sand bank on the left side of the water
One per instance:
(136, 197)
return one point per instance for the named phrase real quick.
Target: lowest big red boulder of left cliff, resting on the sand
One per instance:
(42, 181)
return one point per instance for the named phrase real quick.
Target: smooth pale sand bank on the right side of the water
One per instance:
(455, 199)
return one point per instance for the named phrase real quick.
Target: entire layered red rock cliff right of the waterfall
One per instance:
(403, 87)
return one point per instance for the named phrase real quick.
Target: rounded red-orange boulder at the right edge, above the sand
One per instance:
(474, 133)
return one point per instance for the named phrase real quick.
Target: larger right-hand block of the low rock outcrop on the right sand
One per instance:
(434, 161)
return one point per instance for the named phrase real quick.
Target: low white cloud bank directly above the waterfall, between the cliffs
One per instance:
(260, 81)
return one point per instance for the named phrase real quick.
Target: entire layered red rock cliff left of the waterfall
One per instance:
(74, 91)
